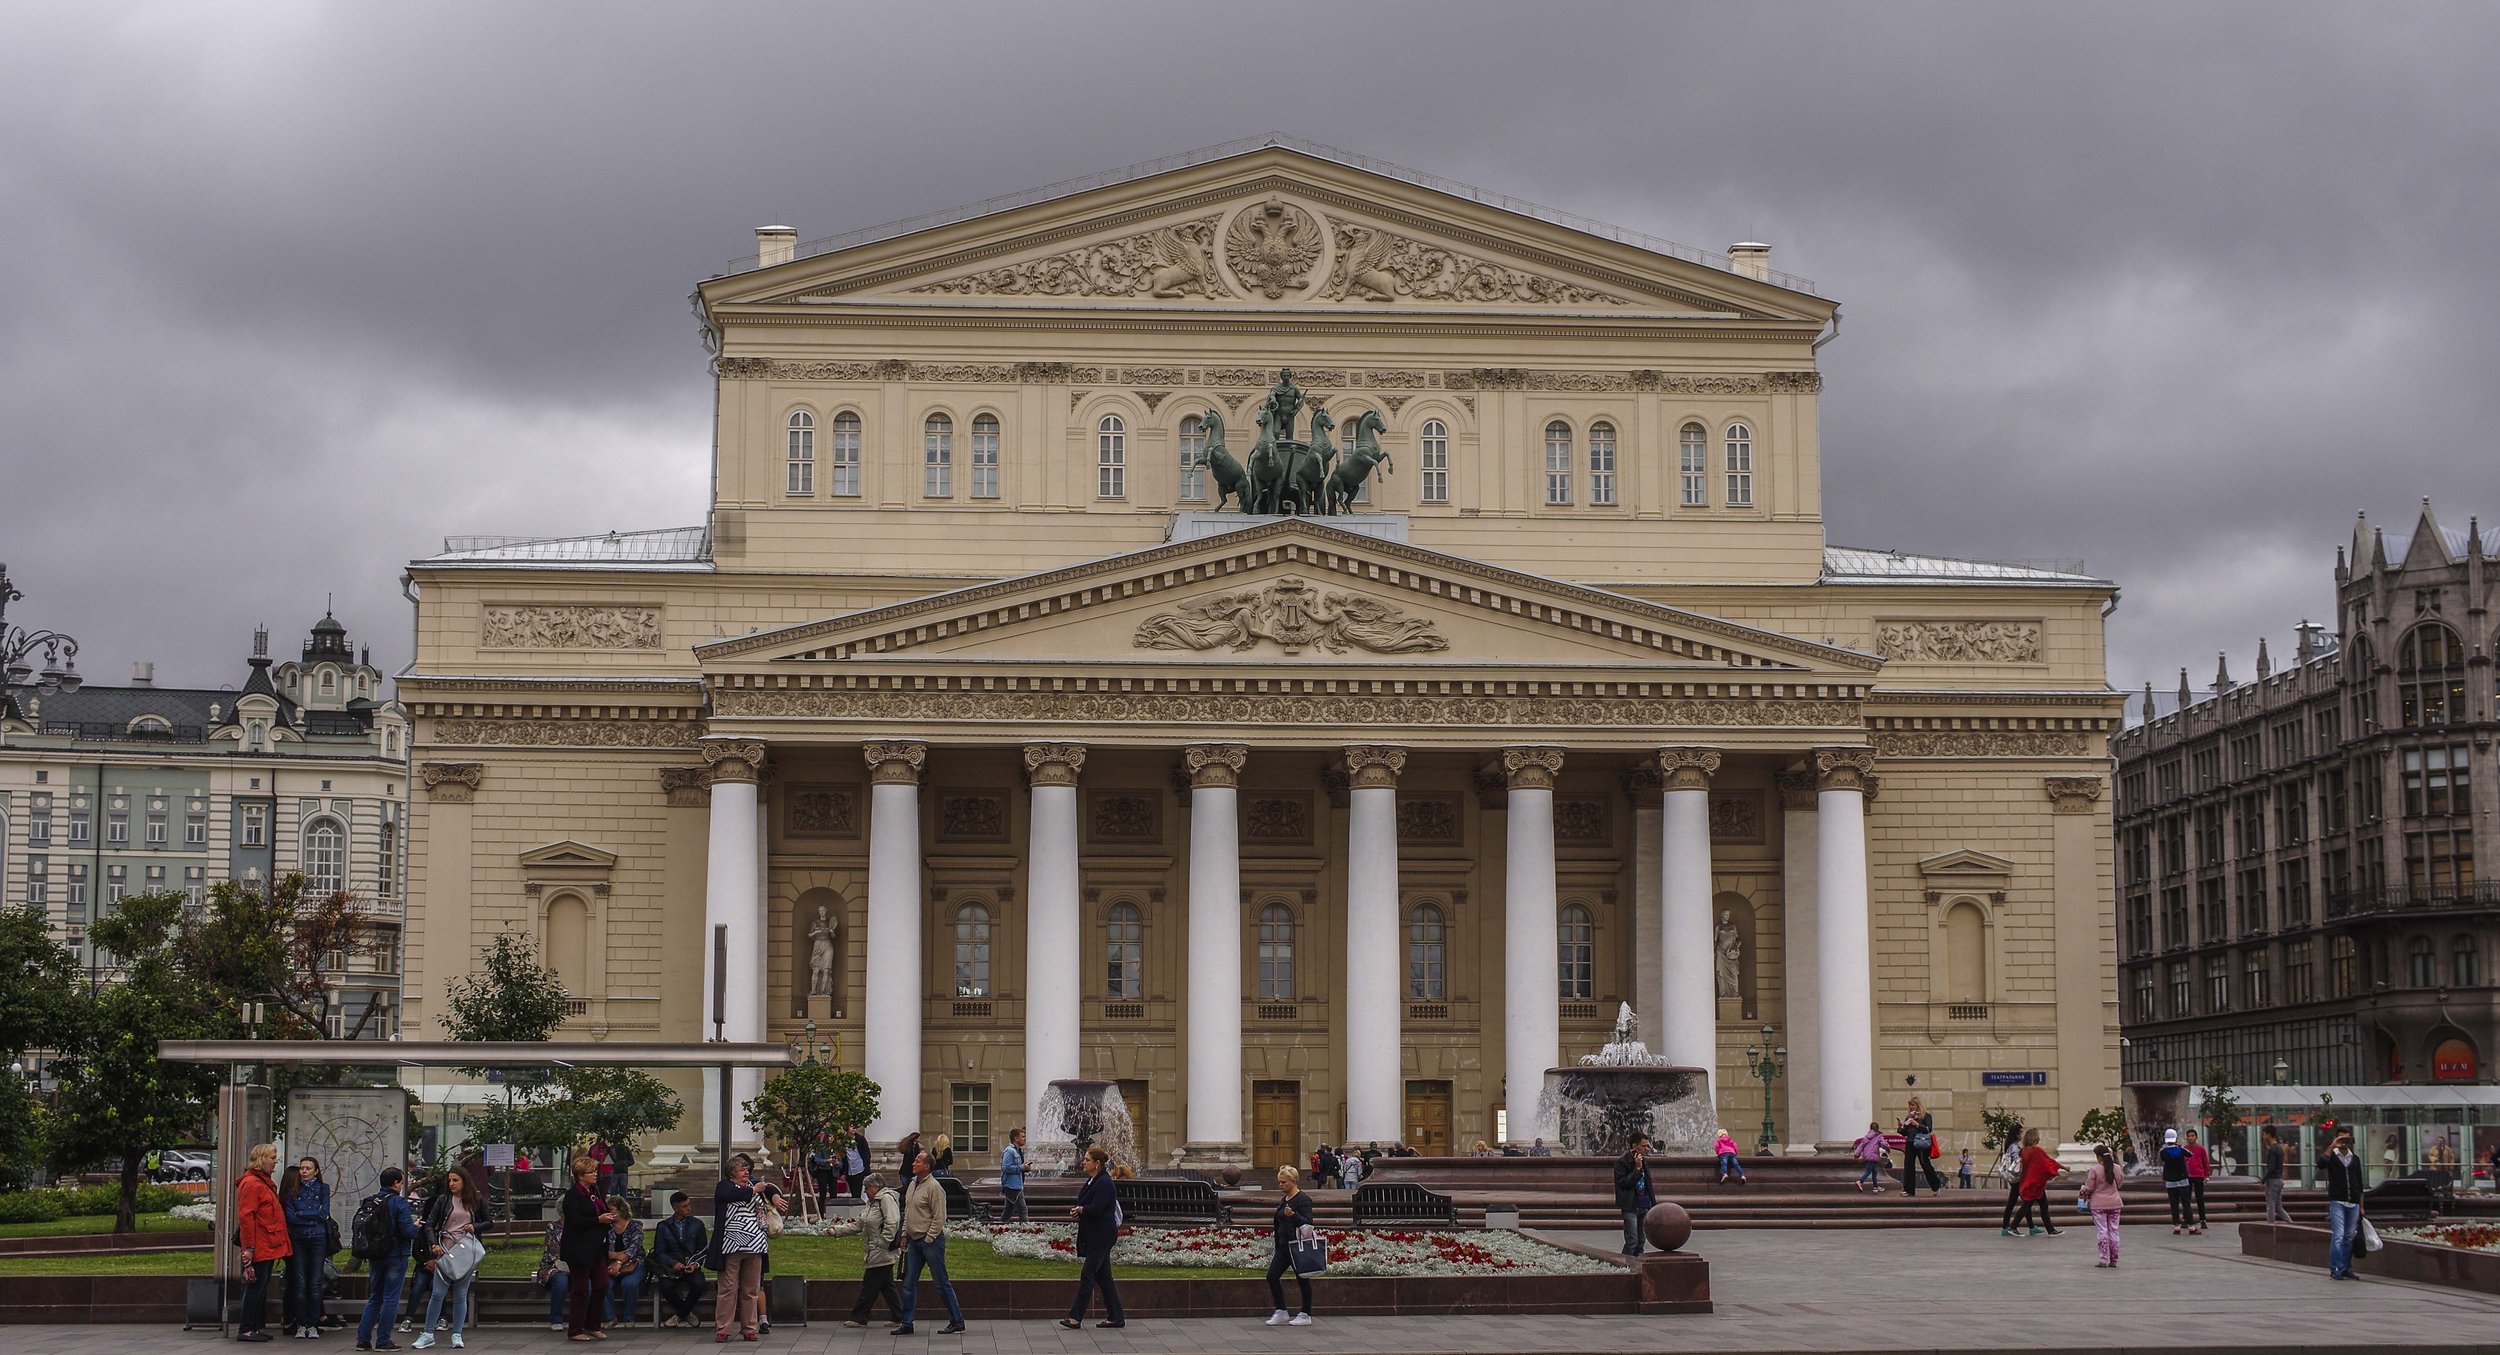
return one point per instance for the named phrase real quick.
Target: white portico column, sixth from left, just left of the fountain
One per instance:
(1531, 964)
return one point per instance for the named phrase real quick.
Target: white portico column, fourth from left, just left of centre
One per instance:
(1214, 1086)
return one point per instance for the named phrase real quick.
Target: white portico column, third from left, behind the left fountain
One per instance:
(1054, 934)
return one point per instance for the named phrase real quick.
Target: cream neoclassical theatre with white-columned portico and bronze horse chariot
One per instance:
(1001, 746)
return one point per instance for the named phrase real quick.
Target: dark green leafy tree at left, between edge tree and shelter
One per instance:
(116, 1096)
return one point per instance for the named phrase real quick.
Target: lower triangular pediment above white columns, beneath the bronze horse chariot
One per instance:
(1289, 594)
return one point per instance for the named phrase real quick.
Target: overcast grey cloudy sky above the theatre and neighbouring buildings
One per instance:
(294, 291)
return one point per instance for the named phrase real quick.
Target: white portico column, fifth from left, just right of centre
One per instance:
(1374, 991)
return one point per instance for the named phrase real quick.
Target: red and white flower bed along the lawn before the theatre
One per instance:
(1349, 1254)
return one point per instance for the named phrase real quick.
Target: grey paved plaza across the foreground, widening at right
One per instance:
(1776, 1291)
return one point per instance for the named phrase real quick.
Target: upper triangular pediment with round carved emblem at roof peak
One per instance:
(1264, 229)
